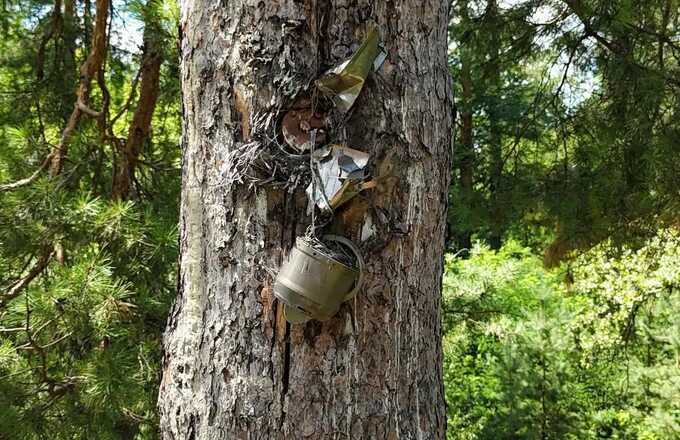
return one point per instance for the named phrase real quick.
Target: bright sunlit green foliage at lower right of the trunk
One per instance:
(588, 351)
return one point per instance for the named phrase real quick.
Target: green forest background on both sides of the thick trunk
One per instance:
(561, 298)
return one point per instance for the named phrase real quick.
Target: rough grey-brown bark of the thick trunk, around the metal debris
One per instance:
(233, 368)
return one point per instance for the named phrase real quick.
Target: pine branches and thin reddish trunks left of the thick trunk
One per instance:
(88, 190)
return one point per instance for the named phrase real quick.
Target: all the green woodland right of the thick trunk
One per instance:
(584, 98)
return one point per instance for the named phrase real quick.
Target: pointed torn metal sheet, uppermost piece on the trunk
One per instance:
(344, 82)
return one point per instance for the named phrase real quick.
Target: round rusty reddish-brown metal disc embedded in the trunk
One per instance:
(298, 123)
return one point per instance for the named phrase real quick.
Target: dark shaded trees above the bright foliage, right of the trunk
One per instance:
(575, 110)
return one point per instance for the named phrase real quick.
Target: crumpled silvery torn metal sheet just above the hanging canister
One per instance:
(339, 174)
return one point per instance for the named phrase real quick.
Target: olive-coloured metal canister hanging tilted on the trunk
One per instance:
(313, 285)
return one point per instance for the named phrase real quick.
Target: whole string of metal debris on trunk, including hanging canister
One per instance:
(319, 275)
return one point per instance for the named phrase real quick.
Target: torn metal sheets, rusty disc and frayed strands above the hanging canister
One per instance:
(277, 152)
